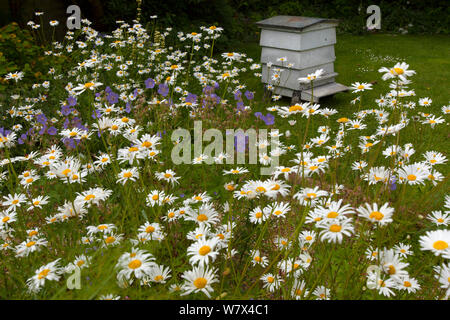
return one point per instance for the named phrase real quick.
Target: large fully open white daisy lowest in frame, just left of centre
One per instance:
(199, 279)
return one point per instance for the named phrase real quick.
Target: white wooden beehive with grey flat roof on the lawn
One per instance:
(306, 42)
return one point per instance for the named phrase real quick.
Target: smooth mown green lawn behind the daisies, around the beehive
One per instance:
(358, 58)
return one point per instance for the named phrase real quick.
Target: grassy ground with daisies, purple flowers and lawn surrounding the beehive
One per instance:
(160, 216)
